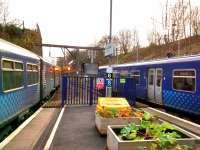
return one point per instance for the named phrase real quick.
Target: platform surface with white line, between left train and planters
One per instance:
(76, 129)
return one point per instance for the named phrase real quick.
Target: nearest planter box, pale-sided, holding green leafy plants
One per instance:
(115, 143)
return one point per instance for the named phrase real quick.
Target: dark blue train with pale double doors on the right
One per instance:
(172, 82)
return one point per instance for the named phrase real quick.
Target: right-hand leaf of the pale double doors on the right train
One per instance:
(158, 85)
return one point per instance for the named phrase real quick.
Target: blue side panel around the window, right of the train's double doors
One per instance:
(182, 100)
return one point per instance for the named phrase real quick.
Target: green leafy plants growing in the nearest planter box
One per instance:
(164, 134)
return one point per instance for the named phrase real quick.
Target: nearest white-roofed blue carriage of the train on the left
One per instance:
(19, 78)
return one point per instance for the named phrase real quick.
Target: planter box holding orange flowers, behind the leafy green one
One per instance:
(102, 123)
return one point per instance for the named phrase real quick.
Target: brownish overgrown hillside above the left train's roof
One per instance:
(26, 38)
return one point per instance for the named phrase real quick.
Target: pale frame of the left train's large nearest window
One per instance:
(11, 70)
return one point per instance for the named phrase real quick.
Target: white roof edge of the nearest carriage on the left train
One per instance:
(15, 49)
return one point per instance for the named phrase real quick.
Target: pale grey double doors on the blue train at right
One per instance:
(155, 85)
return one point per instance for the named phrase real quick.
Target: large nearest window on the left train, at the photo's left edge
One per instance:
(12, 73)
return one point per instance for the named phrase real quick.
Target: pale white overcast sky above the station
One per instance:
(83, 22)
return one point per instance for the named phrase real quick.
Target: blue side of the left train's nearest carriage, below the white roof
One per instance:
(16, 100)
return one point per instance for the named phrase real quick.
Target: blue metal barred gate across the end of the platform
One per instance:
(79, 90)
